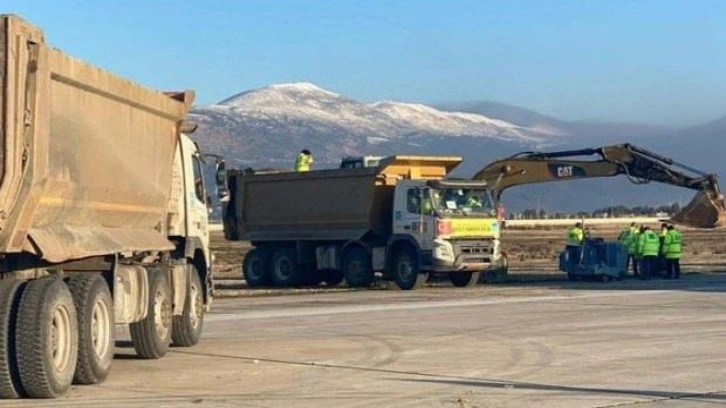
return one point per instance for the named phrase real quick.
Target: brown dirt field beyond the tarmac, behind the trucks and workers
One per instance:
(530, 250)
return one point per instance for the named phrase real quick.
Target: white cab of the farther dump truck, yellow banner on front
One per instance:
(453, 224)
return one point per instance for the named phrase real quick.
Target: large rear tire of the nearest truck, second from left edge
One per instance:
(46, 338)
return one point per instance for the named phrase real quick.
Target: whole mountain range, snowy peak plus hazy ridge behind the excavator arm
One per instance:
(267, 127)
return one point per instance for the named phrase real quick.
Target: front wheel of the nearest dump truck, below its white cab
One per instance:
(187, 328)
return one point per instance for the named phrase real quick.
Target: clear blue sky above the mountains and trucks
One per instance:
(660, 62)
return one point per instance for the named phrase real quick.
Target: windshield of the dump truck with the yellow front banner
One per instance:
(475, 201)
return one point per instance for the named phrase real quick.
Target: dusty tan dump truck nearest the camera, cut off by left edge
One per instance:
(103, 218)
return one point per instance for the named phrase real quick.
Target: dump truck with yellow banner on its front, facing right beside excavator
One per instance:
(402, 218)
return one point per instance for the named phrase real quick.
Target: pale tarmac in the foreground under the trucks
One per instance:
(549, 344)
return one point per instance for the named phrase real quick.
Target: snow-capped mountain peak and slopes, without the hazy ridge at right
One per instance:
(268, 126)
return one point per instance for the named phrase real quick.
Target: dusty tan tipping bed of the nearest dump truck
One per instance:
(86, 155)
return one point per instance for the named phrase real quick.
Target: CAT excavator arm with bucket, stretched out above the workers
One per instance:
(640, 166)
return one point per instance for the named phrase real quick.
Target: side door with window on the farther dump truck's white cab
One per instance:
(414, 216)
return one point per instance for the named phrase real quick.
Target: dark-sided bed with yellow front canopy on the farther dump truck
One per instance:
(340, 204)
